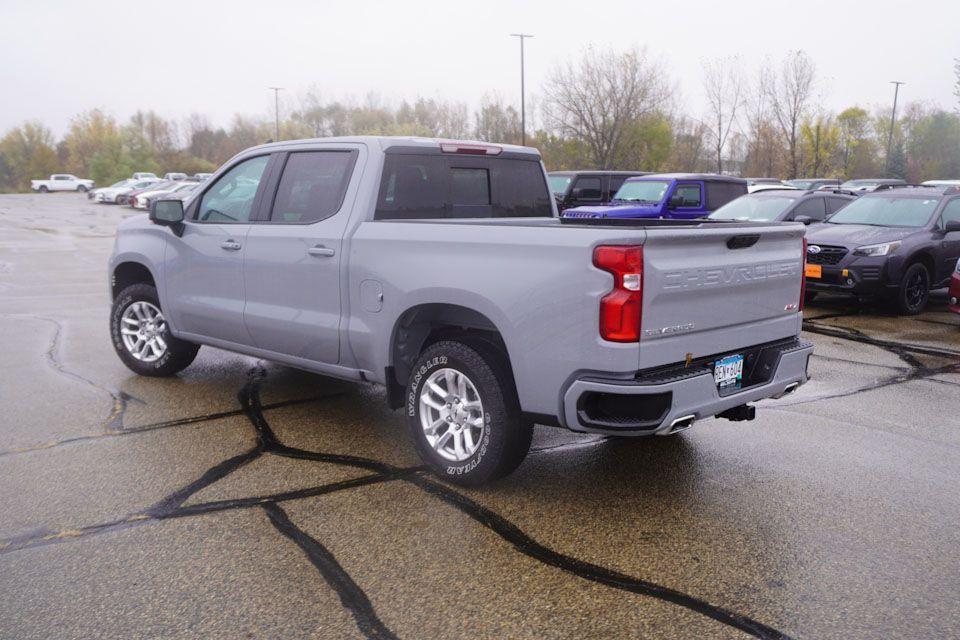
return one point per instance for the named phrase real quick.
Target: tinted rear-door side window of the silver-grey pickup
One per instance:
(312, 186)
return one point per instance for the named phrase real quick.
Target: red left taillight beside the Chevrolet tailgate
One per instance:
(621, 309)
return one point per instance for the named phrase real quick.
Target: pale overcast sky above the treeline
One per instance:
(218, 58)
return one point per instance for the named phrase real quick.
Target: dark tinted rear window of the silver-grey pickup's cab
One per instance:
(421, 186)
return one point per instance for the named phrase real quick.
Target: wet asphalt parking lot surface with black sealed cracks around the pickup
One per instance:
(247, 499)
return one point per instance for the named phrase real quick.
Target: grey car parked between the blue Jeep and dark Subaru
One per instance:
(782, 205)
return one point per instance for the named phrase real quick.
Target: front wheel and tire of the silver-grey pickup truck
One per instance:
(141, 336)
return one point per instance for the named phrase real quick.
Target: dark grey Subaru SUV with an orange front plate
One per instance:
(898, 242)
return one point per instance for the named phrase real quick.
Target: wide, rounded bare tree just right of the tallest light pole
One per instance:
(597, 99)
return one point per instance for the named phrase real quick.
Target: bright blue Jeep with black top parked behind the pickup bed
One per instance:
(667, 195)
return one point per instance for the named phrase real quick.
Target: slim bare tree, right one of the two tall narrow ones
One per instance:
(789, 93)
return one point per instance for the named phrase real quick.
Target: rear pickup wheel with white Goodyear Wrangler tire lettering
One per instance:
(463, 413)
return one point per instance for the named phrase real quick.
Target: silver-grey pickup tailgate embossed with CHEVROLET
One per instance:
(713, 289)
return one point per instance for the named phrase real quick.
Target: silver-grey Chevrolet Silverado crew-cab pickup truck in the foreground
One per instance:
(440, 270)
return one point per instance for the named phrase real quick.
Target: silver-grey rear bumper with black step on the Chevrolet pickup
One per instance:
(652, 402)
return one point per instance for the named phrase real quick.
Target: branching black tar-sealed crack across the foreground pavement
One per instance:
(355, 600)
